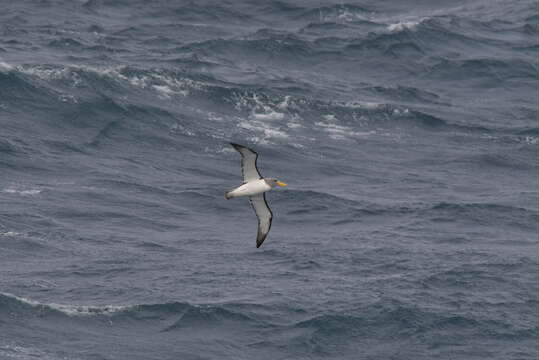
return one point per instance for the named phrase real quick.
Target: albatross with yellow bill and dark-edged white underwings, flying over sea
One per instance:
(254, 186)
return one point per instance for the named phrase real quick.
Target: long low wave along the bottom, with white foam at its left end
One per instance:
(381, 319)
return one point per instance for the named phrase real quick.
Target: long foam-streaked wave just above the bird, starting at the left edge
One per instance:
(264, 112)
